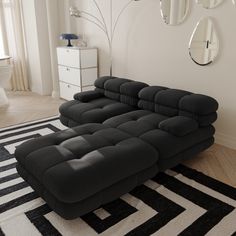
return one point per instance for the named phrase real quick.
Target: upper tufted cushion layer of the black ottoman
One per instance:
(77, 163)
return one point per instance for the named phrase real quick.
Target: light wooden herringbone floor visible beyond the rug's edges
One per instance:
(218, 162)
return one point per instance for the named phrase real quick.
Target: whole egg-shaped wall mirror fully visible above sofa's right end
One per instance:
(204, 43)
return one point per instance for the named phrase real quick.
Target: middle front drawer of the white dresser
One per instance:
(69, 75)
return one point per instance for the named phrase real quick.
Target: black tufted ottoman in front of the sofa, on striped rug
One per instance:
(77, 170)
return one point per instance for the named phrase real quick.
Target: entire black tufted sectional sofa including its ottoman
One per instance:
(123, 133)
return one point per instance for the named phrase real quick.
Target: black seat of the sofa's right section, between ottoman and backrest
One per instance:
(145, 125)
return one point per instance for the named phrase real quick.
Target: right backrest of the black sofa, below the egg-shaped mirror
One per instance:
(173, 102)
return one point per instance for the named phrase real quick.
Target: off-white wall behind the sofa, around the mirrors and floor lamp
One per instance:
(146, 49)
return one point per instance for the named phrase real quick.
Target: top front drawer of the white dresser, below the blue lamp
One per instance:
(68, 57)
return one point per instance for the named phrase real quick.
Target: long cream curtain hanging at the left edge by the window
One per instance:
(12, 41)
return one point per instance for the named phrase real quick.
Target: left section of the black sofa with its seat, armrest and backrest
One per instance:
(112, 96)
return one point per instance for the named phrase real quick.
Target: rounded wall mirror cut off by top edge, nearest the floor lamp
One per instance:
(174, 12)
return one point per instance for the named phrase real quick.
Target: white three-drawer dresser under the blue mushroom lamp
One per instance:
(77, 70)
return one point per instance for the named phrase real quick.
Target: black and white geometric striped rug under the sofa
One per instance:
(181, 201)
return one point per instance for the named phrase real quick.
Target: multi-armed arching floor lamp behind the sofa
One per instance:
(101, 23)
